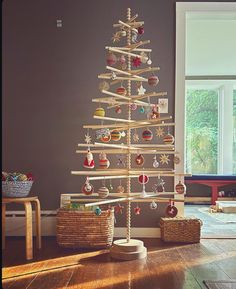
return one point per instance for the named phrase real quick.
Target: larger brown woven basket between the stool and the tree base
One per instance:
(84, 229)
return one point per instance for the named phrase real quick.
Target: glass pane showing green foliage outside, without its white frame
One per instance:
(201, 131)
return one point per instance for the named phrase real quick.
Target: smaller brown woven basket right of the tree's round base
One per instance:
(186, 230)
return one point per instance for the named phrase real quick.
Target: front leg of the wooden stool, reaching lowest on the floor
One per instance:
(28, 230)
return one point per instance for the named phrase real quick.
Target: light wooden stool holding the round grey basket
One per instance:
(28, 222)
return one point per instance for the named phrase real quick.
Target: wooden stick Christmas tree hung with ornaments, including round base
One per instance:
(123, 87)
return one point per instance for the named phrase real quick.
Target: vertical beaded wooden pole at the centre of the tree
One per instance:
(128, 212)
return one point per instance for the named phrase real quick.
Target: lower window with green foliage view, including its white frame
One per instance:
(209, 119)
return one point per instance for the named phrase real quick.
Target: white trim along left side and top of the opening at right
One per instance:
(182, 8)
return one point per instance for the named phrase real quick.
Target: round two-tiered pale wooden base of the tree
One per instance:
(132, 250)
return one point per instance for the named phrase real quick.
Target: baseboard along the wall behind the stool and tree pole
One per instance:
(15, 226)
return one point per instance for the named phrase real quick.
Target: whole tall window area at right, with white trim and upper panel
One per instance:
(205, 103)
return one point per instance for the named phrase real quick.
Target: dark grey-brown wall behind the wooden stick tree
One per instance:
(50, 77)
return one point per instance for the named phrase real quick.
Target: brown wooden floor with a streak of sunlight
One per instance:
(175, 266)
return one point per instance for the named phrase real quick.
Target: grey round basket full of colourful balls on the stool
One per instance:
(16, 185)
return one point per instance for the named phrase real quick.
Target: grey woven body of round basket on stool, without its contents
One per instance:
(16, 189)
